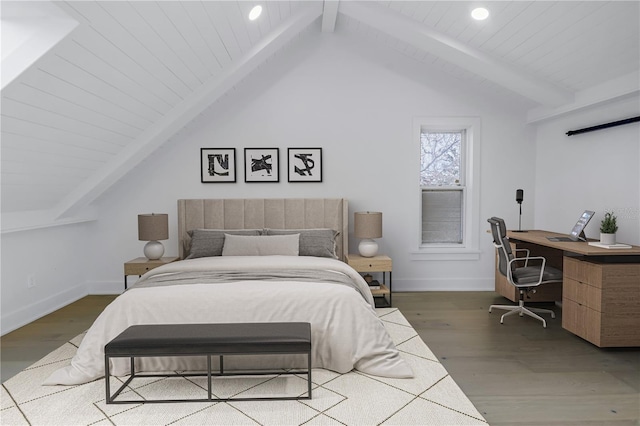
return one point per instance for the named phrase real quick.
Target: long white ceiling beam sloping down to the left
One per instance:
(183, 113)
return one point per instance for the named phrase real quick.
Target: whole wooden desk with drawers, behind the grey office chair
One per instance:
(600, 292)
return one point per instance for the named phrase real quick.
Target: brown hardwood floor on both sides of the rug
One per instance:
(515, 373)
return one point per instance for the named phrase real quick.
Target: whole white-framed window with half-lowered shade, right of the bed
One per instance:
(449, 175)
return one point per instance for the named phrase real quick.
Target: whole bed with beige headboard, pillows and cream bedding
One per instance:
(252, 260)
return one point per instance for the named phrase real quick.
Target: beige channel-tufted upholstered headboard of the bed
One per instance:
(257, 213)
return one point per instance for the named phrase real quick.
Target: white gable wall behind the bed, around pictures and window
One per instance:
(331, 92)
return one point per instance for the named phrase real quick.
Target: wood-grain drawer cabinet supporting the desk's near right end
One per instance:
(601, 301)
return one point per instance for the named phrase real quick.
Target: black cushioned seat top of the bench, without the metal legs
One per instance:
(235, 338)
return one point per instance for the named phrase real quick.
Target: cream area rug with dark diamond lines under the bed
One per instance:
(430, 398)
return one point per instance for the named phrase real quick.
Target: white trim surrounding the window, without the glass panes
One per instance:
(470, 247)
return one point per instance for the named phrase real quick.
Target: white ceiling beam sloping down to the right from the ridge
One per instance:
(428, 40)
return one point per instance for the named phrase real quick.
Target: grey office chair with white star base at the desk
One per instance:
(526, 278)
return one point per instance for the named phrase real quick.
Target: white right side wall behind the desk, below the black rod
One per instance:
(597, 171)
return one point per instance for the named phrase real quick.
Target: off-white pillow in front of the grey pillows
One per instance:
(242, 245)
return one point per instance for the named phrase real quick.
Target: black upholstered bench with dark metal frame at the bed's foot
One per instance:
(155, 340)
